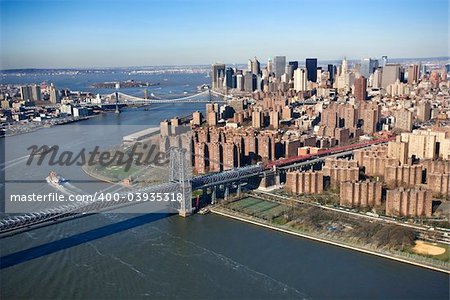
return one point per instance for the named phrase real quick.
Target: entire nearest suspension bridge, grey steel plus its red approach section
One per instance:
(181, 182)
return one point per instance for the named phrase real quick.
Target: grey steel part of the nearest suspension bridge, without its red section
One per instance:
(180, 182)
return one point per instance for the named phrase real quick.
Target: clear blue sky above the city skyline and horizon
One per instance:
(100, 33)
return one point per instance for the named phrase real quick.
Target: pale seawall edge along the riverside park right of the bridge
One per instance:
(224, 213)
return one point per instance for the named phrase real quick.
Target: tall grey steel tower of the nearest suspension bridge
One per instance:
(179, 173)
